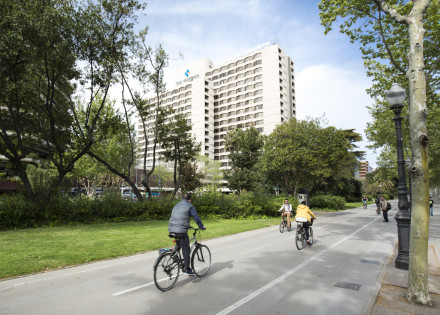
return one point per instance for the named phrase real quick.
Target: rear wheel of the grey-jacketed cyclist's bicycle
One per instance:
(166, 271)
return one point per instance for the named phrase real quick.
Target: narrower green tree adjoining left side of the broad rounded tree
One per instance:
(244, 148)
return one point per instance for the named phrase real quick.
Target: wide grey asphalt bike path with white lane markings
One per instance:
(259, 272)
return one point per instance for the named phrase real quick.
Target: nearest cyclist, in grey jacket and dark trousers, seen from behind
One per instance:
(179, 225)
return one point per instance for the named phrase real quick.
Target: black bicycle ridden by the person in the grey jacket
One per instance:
(170, 262)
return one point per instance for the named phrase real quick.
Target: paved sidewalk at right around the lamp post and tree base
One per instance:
(391, 297)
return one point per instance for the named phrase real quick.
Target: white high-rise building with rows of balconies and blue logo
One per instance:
(256, 88)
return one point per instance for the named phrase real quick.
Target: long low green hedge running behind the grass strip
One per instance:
(17, 212)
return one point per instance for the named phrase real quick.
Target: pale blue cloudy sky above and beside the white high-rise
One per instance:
(329, 75)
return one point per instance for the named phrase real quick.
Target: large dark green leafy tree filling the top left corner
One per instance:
(48, 49)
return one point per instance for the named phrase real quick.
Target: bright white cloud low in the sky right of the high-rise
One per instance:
(339, 94)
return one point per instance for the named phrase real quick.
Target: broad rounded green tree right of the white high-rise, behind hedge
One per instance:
(295, 157)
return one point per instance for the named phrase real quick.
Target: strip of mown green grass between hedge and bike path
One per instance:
(35, 250)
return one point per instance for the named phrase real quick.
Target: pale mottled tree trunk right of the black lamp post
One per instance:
(418, 289)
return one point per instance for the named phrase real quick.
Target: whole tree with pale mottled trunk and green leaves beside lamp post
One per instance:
(407, 35)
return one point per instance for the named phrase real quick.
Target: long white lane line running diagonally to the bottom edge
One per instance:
(287, 274)
